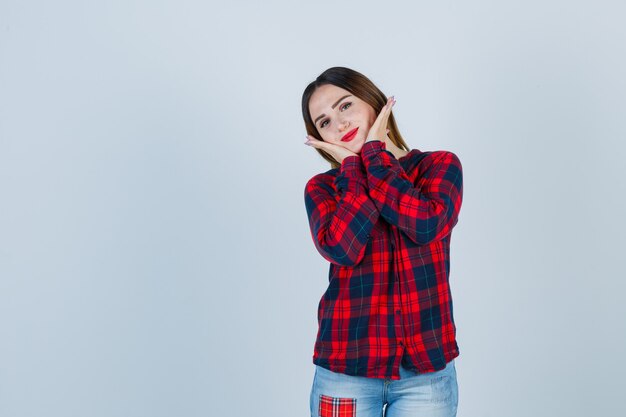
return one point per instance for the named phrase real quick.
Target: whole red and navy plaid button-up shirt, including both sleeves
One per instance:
(385, 224)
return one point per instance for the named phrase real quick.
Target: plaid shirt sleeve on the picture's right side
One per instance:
(426, 211)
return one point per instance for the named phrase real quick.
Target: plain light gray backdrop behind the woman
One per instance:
(155, 256)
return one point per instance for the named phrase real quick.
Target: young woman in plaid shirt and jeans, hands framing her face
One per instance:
(382, 216)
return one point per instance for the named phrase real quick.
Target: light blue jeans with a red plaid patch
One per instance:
(428, 394)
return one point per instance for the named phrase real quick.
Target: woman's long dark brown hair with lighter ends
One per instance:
(360, 86)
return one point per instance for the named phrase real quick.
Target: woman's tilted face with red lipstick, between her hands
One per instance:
(341, 118)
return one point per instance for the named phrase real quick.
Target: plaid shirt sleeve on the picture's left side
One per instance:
(341, 214)
